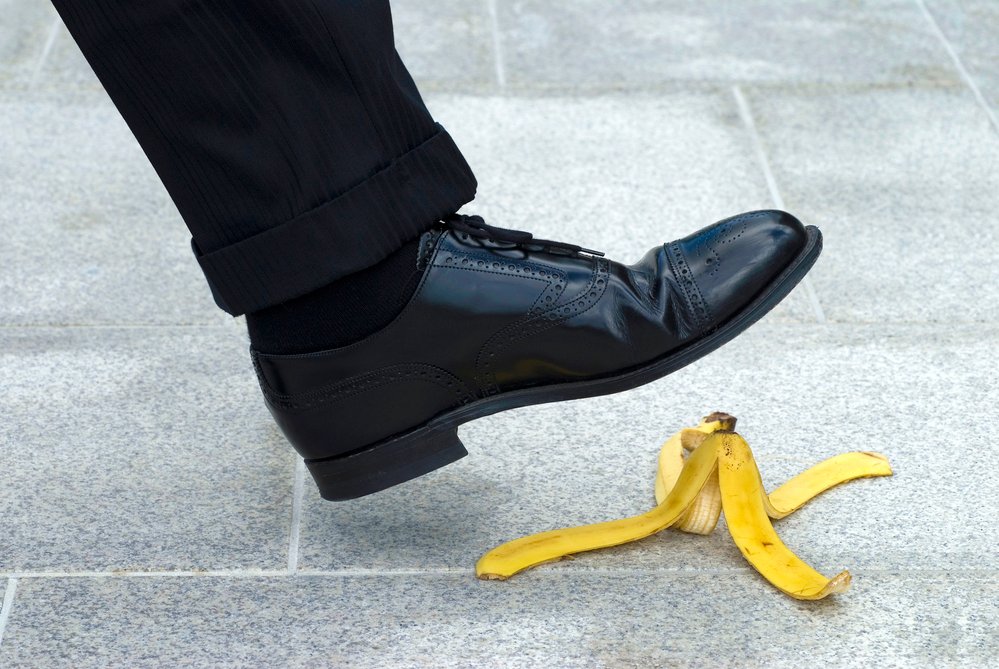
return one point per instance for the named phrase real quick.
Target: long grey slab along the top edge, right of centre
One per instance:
(596, 44)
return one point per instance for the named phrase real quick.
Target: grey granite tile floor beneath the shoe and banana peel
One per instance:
(151, 515)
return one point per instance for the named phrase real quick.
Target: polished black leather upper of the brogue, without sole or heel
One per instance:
(490, 317)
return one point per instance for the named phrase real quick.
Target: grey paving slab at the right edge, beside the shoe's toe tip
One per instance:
(905, 186)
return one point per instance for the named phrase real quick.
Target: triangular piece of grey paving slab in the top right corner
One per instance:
(971, 26)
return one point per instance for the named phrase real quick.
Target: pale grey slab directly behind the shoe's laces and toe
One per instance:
(620, 174)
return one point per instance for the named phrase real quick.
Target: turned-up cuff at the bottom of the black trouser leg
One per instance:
(344, 235)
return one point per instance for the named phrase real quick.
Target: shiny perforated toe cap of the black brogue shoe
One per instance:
(730, 262)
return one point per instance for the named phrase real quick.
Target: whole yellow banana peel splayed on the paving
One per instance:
(705, 471)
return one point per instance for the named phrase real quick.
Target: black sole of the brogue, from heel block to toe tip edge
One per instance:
(436, 444)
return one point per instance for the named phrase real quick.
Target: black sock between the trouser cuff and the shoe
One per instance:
(341, 313)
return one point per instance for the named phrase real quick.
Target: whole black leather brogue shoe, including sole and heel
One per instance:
(502, 320)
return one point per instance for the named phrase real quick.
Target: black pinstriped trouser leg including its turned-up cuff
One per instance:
(288, 133)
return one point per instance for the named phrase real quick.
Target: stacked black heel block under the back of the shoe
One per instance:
(386, 464)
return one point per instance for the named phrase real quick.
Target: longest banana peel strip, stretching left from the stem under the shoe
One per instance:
(513, 556)
